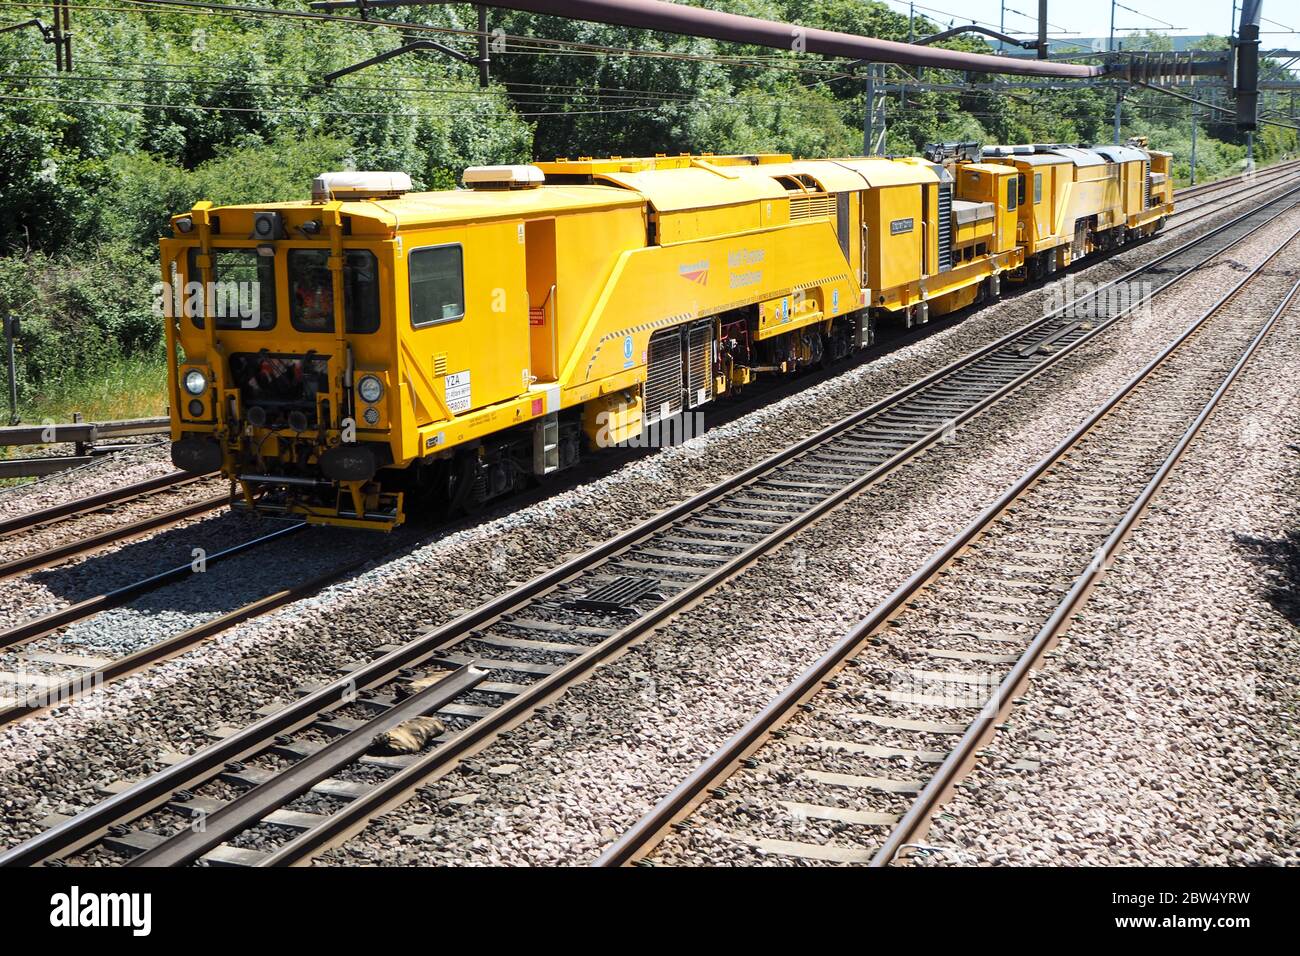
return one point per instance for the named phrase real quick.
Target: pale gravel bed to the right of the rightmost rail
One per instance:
(1164, 729)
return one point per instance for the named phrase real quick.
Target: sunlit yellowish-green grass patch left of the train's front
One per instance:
(131, 388)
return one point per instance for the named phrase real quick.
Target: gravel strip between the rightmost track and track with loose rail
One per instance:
(567, 782)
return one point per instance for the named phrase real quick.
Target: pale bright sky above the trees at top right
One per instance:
(1093, 18)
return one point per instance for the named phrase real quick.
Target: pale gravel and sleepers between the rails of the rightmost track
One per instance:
(753, 810)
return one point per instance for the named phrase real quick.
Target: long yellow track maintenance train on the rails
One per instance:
(340, 356)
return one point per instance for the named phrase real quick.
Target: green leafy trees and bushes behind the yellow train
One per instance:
(170, 106)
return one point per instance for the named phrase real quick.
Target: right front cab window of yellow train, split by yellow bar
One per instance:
(311, 291)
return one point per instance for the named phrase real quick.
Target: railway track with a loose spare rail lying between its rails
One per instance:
(492, 668)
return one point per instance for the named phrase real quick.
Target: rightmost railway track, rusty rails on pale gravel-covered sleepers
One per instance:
(852, 760)
